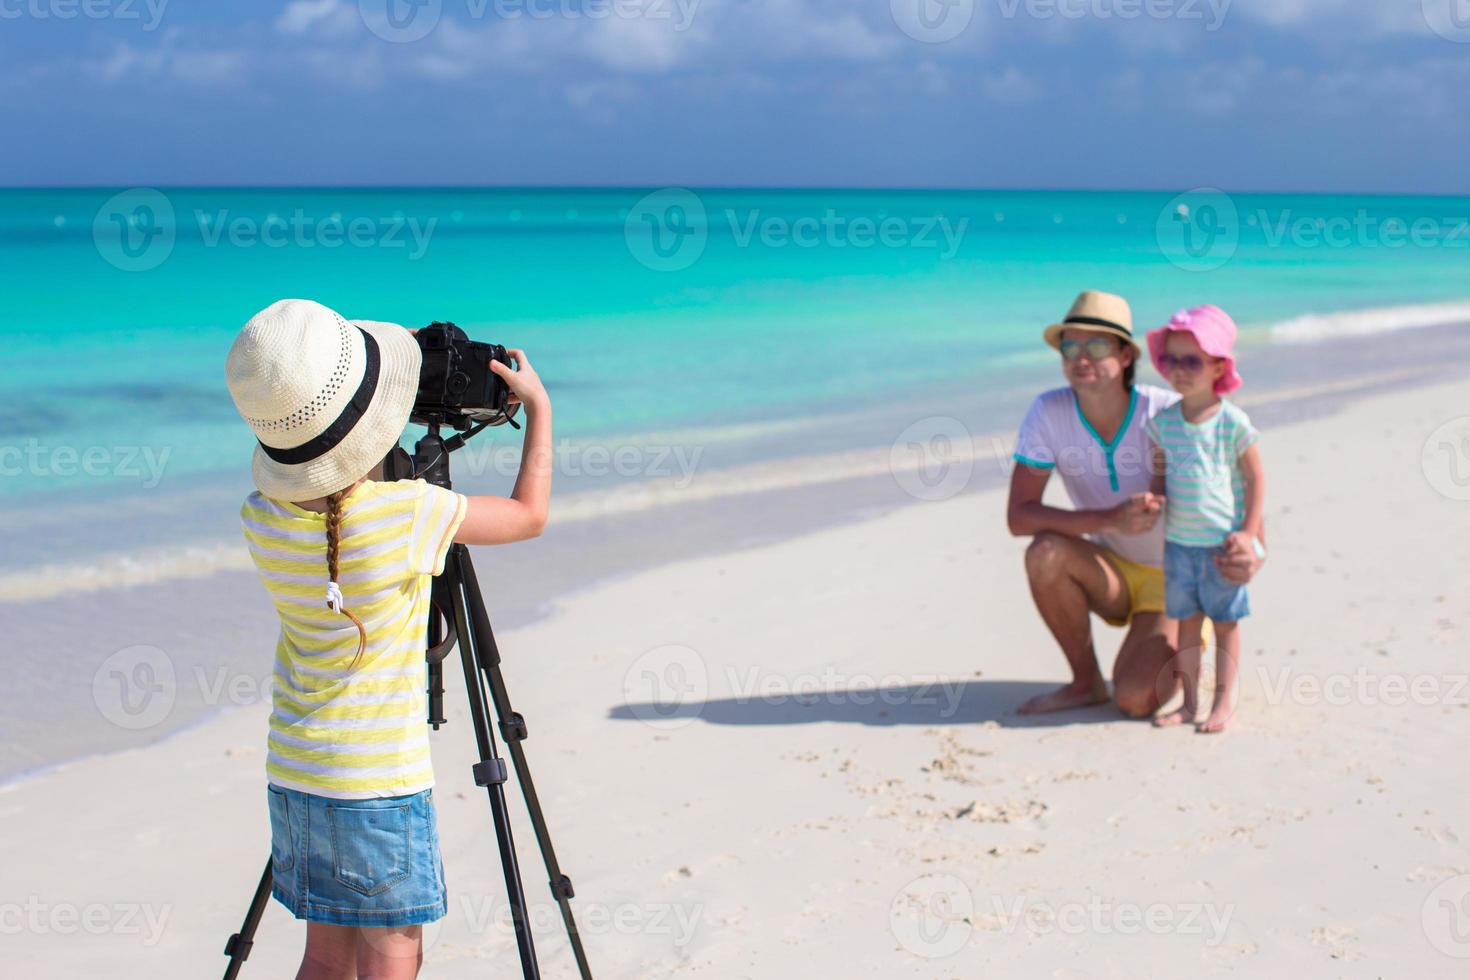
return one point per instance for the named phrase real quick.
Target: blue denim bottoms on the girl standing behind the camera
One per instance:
(356, 862)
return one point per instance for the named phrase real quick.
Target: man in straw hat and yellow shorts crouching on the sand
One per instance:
(1108, 556)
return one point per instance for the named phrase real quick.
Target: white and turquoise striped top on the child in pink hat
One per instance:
(1205, 491)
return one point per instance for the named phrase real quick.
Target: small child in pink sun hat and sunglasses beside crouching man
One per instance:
(1209, 469)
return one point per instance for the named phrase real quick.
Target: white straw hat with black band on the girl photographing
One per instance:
(326, 397)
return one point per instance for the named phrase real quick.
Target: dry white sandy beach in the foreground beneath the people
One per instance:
(922, 831)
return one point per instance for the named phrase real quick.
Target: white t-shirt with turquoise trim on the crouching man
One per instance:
(1097, 475)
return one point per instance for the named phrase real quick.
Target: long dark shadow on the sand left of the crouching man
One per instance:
(937, 703)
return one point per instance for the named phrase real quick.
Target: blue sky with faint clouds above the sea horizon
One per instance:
(1168, 95)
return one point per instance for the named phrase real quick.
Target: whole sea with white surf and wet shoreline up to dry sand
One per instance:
(772, 337)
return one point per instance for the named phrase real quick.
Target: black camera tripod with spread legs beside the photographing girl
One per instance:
(461, 619)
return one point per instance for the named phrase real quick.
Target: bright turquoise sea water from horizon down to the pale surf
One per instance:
(646, 311)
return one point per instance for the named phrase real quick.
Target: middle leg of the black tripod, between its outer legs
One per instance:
(490, 772)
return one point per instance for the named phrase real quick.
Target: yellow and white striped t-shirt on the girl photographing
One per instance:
(356, 735)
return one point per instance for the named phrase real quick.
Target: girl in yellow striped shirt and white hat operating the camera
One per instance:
(348, 562)
